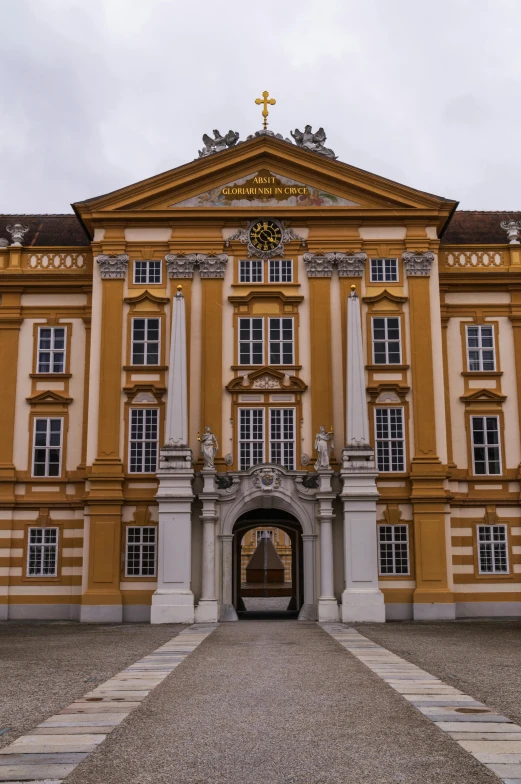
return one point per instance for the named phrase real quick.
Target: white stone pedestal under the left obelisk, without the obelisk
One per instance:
(173, 601)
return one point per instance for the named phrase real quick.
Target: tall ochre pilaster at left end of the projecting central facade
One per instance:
(102, 601)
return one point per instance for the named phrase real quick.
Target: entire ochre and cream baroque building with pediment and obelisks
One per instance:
(263, 291)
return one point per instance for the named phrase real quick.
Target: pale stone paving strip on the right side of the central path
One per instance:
(492, 739)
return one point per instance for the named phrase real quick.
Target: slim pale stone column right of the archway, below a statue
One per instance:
(327, 603)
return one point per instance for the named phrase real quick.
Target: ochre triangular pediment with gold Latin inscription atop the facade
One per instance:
(205, 184)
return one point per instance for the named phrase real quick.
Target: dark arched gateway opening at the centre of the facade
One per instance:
(263, 598)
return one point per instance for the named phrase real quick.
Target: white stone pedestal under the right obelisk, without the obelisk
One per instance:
(362, 600)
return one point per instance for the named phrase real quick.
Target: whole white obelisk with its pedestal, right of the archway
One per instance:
(361, 600)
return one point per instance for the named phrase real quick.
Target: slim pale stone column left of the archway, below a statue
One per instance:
(207, 610)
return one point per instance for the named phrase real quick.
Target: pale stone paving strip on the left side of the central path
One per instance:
(47, 754)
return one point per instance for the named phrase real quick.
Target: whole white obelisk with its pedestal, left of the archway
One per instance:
(173, 601)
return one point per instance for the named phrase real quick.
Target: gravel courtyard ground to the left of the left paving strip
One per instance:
(45, 666)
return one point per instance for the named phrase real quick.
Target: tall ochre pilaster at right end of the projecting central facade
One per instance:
(433, 599)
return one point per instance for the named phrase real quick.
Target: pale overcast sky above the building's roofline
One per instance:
(98, 94)
